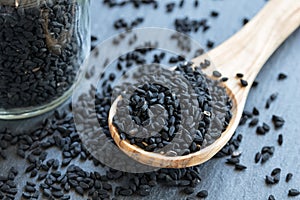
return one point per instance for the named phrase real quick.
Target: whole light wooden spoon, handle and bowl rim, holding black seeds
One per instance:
(245, 52)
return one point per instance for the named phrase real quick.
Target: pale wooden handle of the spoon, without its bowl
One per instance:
(248, 50)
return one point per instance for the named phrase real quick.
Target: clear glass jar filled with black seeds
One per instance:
(43, 44)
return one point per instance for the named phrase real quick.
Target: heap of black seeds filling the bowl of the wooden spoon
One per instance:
(153, 116)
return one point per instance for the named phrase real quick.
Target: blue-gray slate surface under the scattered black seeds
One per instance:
(220, 180)
